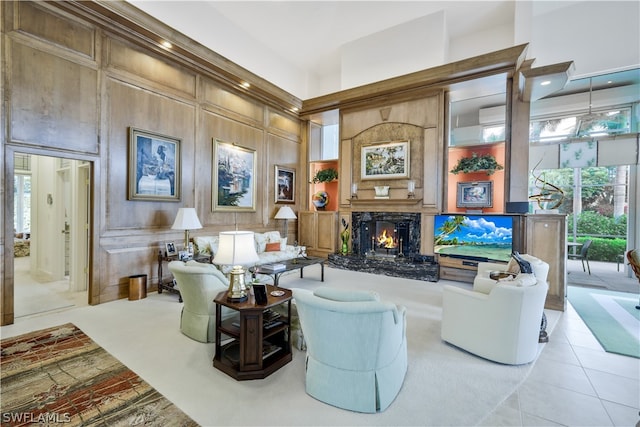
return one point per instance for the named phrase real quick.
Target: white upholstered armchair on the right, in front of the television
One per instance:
(502, 325)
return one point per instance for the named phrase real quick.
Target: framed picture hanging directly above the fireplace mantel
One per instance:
(385, 160)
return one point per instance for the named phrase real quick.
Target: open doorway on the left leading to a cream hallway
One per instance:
(51, 240)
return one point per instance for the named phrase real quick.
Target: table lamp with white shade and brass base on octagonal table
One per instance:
(236, 248)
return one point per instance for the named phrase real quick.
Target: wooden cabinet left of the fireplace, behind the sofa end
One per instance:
(318, 231)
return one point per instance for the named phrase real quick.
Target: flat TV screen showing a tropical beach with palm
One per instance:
(474, 236)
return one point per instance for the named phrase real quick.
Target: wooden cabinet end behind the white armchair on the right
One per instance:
(547, 240)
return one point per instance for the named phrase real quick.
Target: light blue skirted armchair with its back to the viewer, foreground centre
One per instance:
(356, 347)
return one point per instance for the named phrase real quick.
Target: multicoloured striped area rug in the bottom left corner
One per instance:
(59, 376)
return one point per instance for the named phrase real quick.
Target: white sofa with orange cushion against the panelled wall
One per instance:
(270, 247)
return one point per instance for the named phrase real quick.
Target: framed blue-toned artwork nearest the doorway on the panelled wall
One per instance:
(154, 166)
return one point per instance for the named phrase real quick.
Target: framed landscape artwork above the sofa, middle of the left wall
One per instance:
(234, 177)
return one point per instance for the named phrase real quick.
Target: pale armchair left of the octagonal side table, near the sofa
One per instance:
(199, 283)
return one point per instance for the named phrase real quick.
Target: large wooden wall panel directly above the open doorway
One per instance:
(36, 98)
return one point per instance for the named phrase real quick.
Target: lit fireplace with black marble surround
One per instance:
(385, 234)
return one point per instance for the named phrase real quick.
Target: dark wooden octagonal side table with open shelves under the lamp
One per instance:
(259, 345)
